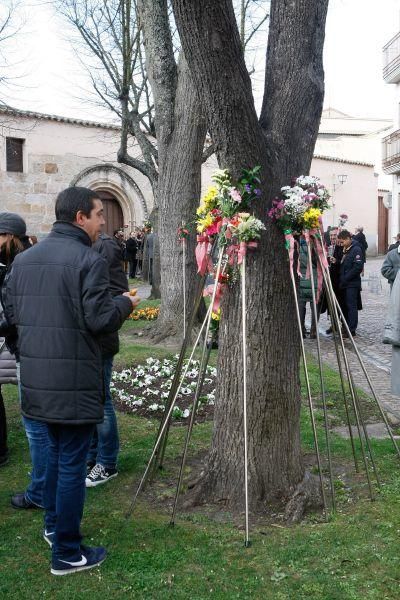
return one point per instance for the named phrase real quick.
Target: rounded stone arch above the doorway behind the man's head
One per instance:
(111, 178)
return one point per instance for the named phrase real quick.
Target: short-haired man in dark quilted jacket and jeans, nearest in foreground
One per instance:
(58, 296)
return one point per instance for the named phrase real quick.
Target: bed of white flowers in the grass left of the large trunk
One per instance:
(144, 389)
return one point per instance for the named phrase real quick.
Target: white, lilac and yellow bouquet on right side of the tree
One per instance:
(300, 206)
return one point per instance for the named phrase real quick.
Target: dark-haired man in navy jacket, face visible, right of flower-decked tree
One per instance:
(351, 268)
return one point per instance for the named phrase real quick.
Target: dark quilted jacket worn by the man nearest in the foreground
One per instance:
(58, 296)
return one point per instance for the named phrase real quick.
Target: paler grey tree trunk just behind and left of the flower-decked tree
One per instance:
(179, 193)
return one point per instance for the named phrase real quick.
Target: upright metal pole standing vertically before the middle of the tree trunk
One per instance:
(247, 542)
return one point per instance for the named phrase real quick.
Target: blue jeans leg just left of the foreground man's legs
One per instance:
(38, 441)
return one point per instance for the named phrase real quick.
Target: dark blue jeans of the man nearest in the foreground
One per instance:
(64, 489)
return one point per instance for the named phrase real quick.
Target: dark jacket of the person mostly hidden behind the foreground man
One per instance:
(109, 249)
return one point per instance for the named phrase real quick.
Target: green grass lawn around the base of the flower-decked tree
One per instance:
(353, 556)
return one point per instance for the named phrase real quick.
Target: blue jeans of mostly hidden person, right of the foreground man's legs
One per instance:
(105, 442)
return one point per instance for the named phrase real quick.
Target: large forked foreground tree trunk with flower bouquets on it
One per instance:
(283, 147)
